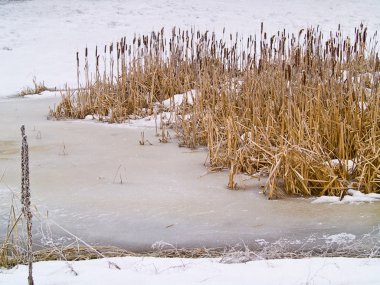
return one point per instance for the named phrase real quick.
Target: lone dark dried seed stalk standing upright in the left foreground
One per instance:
(25, 200)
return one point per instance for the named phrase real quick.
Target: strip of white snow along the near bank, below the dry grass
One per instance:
(148, 270)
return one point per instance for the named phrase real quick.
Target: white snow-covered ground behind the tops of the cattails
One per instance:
(40, 38)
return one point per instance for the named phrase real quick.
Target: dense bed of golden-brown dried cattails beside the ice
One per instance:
(301, 108)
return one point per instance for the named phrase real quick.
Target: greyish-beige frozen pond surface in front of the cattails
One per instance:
(96, 181)
